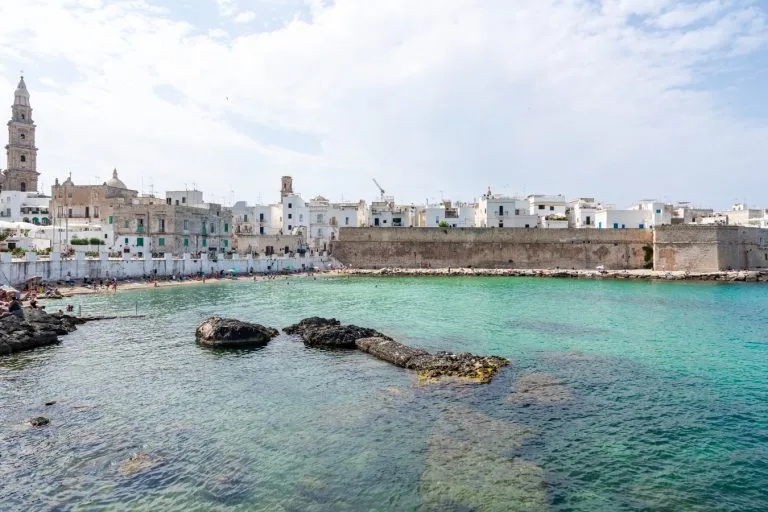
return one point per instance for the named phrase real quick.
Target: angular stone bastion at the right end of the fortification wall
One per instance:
(710, 248)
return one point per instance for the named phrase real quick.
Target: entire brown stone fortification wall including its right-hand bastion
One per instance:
(675, 248)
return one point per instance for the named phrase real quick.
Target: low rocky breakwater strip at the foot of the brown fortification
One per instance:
(751, 276)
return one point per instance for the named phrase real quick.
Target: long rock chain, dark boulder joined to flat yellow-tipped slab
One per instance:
(329, 333)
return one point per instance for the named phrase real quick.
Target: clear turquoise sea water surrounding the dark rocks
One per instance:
(663, 387)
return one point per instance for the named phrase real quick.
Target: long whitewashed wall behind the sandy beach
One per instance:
(54, 268)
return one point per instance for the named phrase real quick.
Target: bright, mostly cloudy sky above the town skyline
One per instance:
(619, 100)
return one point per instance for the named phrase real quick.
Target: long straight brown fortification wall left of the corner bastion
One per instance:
(492, 248)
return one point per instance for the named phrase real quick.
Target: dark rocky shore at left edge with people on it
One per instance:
(33, 328)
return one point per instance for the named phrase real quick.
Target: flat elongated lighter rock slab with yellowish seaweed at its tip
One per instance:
(480, 369)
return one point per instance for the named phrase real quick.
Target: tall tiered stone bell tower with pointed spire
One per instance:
(21, 153)
